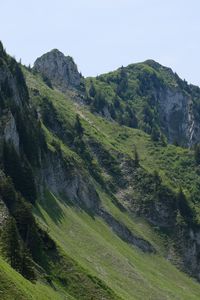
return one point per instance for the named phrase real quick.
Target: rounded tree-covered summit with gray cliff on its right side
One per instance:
(150, 97)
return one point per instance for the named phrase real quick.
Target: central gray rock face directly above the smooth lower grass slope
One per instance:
(69, 182)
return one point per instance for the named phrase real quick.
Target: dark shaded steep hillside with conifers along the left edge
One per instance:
(26, 159)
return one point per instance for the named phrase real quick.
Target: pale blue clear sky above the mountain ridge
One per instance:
(102, 35)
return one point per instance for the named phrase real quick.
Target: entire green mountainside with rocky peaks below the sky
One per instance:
(92, 207)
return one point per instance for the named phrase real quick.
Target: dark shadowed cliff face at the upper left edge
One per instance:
(13, 100)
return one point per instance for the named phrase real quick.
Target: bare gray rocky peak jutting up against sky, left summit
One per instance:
(61, 70)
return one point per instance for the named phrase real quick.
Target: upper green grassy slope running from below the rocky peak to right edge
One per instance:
(176, 165)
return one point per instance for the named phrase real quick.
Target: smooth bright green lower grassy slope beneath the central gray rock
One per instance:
(129, 272)
